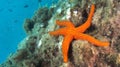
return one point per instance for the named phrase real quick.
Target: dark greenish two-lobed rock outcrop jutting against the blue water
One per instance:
(41, 18)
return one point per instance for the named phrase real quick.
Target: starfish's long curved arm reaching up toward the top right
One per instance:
(83, 27)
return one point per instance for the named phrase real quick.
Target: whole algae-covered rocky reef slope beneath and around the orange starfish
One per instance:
(39, 49)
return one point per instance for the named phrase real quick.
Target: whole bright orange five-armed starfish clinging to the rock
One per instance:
(70, 33)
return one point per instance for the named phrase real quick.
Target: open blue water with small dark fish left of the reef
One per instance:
(12, 15)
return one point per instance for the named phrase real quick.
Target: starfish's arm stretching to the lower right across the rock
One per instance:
(91, 39)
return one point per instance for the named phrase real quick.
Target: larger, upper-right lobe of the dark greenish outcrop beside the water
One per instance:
(43, 15)
